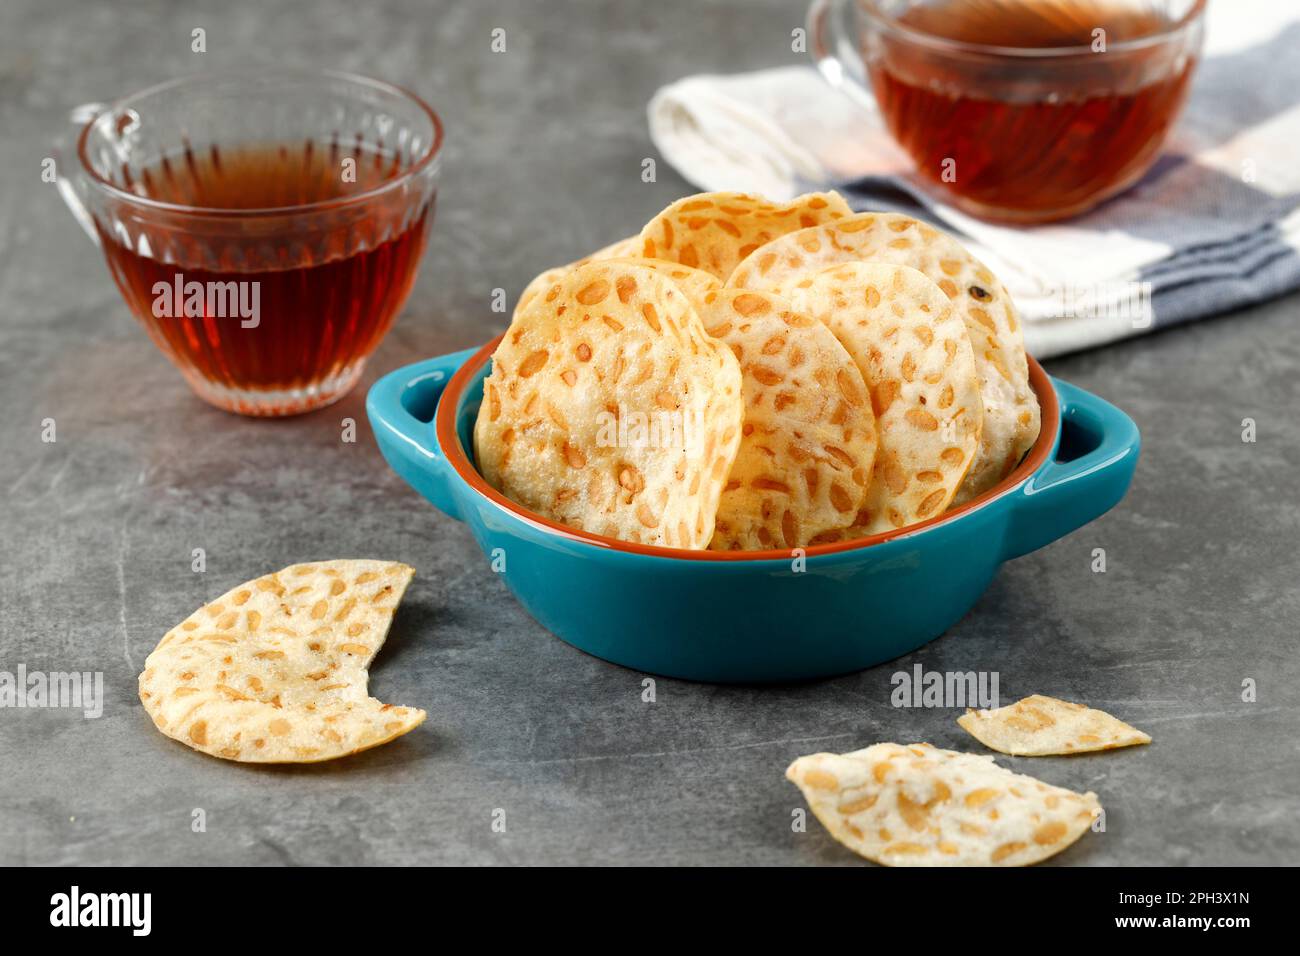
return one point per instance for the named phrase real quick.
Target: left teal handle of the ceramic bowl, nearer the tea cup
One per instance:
(401, 408)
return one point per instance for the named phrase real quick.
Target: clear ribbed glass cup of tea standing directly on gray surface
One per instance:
(265, 227)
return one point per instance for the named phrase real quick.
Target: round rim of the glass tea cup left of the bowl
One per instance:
(430, 157)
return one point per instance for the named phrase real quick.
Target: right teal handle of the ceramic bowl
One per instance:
(1087, 475)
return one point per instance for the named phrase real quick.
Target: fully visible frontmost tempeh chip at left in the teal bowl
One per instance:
(612, 410)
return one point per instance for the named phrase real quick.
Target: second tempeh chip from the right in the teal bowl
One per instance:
(916, 358)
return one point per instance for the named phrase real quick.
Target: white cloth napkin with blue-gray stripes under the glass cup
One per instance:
(1215, 226)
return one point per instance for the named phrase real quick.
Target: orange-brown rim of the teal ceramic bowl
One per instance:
(449, 440)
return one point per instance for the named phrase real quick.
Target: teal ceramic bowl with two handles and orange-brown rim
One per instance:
(755, 616)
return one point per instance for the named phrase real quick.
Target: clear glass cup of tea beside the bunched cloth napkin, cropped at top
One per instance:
(1020, 111)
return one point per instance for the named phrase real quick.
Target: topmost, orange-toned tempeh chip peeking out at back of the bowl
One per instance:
(716, 231)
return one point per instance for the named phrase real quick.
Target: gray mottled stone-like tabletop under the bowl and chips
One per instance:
(543, 165)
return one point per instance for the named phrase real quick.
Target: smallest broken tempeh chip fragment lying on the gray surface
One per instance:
(1042, 726)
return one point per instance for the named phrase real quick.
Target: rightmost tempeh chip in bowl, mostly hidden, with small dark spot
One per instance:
(1012, 416)
